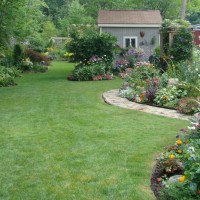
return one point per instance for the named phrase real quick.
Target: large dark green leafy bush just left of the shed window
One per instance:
(85, 46)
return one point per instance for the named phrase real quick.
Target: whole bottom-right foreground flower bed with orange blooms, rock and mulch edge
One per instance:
(177, 172)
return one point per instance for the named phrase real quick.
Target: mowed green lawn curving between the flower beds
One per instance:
(59, 140)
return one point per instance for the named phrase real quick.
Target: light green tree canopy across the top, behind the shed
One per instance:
(23, 19)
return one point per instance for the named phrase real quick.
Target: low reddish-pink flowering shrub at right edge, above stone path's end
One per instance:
(187, 106)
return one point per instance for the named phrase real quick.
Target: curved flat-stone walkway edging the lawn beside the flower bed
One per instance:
(111, 97)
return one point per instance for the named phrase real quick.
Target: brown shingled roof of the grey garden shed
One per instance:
(129, 17)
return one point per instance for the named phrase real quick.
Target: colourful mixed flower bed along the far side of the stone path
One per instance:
(177, 88)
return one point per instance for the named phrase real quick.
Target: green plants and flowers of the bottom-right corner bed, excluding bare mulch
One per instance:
(186, 152)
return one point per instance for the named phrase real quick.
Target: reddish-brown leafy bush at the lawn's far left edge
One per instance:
(37, 57)
